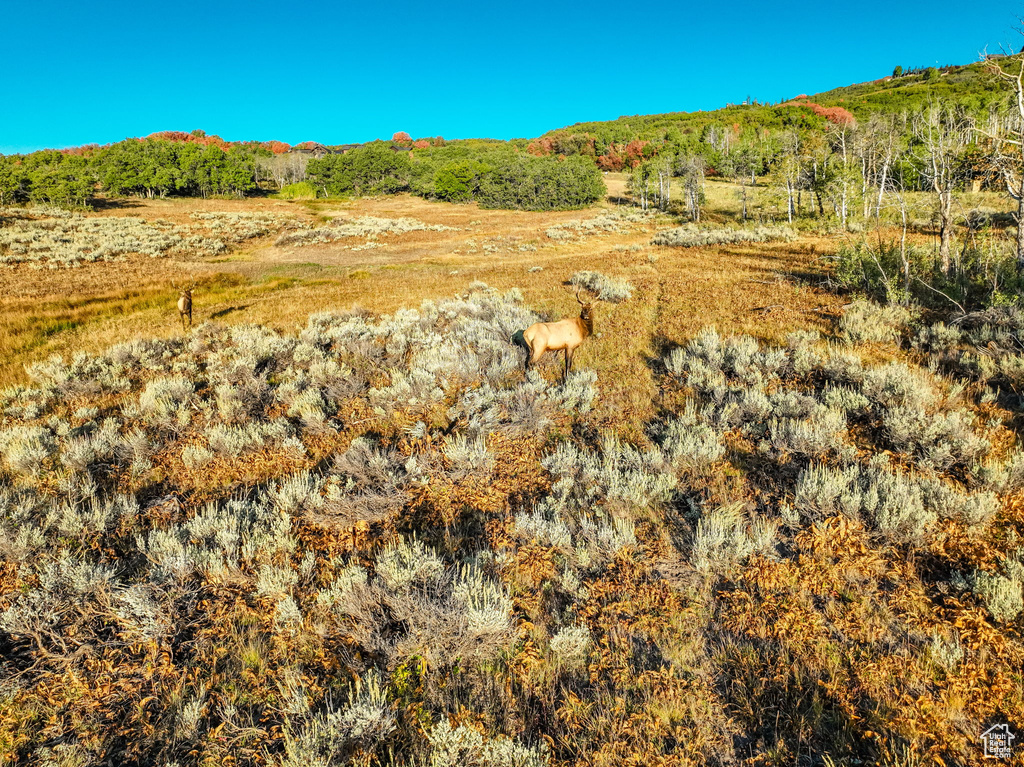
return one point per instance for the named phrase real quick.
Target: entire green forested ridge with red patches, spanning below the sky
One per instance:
(752, 140)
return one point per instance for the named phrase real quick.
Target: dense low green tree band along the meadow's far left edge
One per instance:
(495, 175)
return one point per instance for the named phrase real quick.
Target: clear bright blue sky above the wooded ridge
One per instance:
(81, 73)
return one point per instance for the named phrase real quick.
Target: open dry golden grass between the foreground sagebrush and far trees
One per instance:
(767, 291)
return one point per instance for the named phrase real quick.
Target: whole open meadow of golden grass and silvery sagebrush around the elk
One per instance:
(335, 523)
